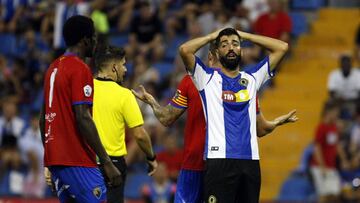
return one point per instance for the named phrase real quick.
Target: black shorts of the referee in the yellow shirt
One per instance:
(116, 194)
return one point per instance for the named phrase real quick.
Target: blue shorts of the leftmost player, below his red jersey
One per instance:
(83, 184)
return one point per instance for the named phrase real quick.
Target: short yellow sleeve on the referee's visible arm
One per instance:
(131, 111)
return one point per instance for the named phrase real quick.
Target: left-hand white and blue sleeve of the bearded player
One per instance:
(201, 74)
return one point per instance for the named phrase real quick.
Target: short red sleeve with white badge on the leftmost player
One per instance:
(82, 85)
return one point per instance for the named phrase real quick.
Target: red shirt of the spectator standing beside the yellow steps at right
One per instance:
(327, 138)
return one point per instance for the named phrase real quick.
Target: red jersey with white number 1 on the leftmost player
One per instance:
(68, 82)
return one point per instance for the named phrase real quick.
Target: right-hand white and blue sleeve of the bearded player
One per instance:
(261, 72)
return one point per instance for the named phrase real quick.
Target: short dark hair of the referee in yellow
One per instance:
(107, 53)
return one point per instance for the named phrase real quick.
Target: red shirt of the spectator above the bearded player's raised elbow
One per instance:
(273, 26)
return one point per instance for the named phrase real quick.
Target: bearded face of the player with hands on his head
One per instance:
(229, 52)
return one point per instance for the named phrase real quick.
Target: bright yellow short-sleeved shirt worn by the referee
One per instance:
(114, 106)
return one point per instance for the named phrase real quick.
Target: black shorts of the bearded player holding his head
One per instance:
(232, 181)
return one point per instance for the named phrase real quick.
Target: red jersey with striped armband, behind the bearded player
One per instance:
(187, 97)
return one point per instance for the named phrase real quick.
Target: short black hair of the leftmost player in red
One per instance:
(76, 28)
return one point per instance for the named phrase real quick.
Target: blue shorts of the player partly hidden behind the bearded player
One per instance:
(189, 187)
